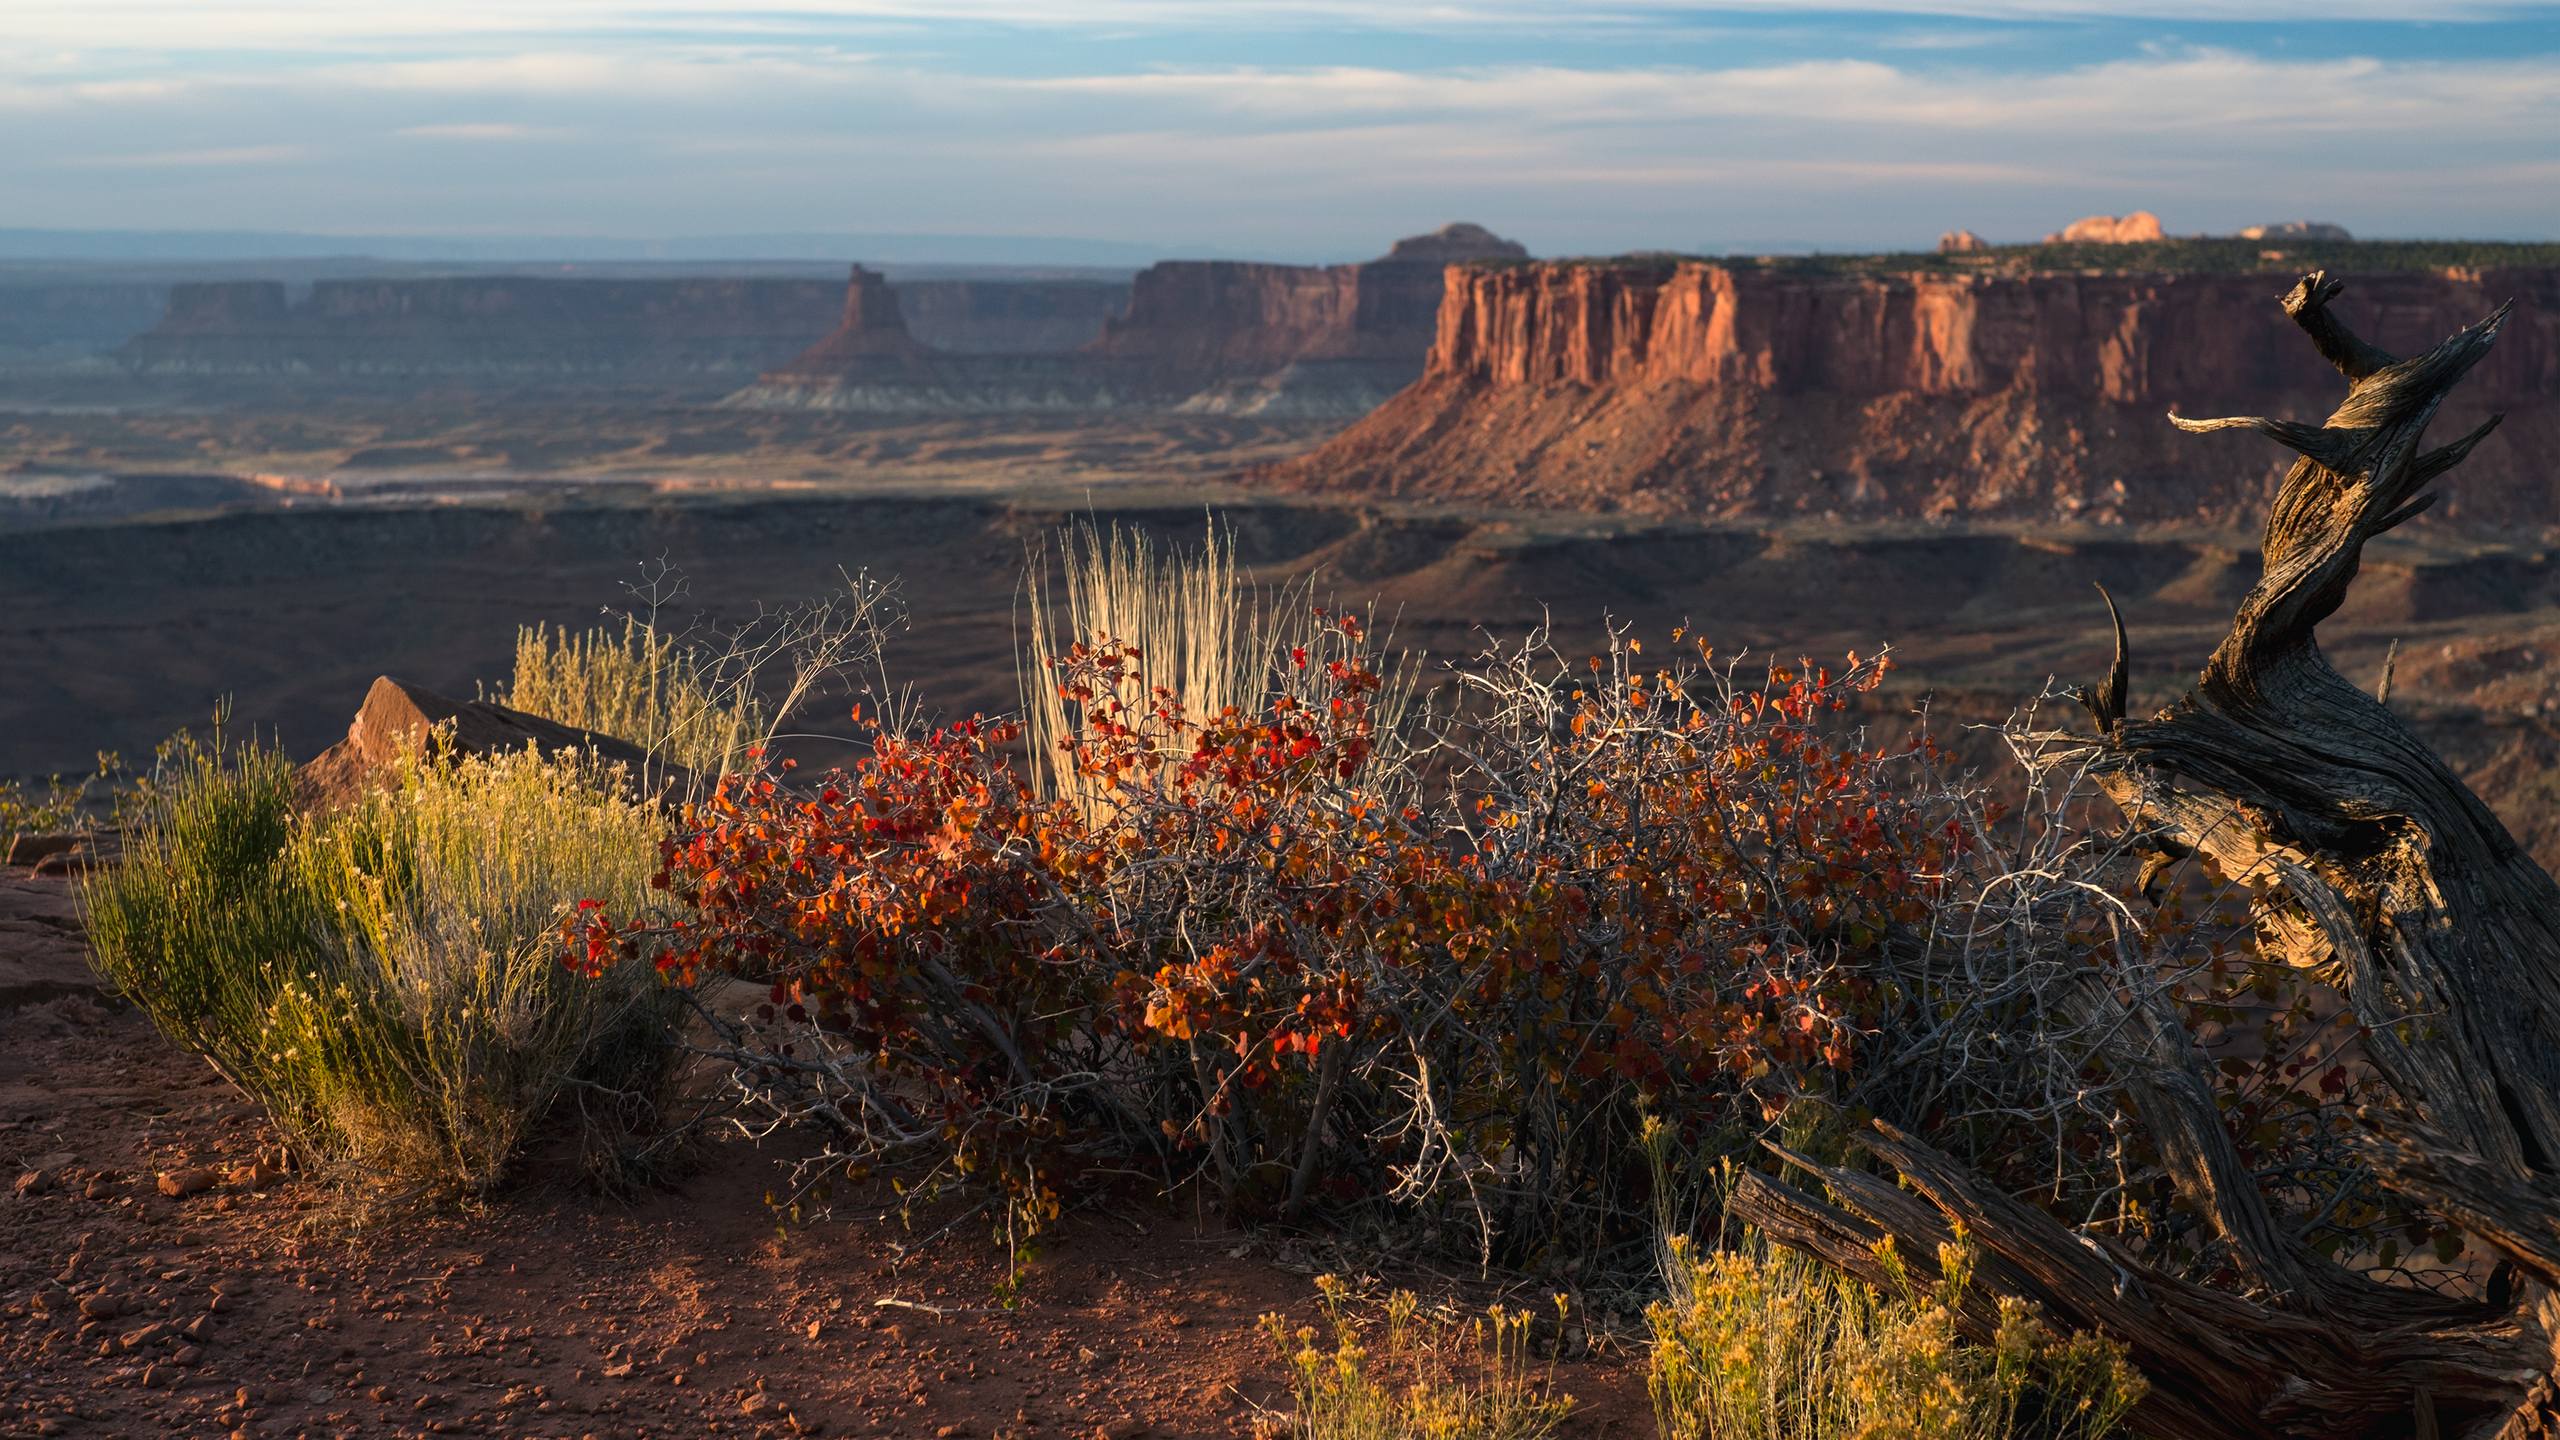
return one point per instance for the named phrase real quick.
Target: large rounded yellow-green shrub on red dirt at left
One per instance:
(385, 983)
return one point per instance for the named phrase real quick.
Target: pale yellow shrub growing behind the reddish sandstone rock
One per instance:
(636, 685)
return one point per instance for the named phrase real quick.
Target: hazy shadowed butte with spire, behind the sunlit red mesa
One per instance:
(1199, 337)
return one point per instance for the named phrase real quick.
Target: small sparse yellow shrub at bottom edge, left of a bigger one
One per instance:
(1414, 1377)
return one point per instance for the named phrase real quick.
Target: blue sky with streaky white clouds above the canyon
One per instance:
(1289, 129)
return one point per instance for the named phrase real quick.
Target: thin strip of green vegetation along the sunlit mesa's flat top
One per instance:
(2147, 258)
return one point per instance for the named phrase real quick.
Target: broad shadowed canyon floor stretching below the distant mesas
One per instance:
(147, 570)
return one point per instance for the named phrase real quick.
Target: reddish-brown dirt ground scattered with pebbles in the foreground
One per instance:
(268, 1308)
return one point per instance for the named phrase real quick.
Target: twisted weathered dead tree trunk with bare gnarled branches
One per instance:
(2400, 888)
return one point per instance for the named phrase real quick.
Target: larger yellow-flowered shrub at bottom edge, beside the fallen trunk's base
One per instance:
(1757, 1344)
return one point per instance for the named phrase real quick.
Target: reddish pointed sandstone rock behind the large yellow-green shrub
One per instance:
(398, 719)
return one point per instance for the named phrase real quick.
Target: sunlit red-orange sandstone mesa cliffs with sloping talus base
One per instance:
(1691, 388)
